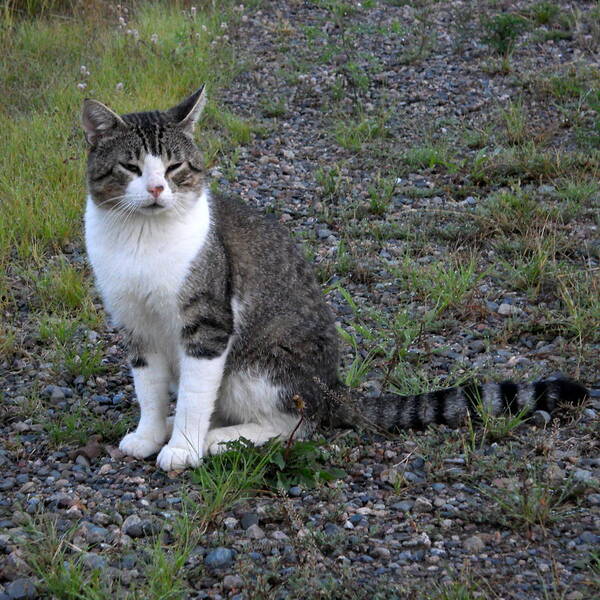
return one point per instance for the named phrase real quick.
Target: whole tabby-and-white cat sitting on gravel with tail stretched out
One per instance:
(218, 301)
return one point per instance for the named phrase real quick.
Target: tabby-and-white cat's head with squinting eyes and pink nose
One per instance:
(145, 163)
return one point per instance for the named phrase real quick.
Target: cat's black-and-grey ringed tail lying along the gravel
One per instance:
(454, 406)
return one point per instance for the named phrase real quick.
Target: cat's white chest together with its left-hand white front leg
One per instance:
(140, 263)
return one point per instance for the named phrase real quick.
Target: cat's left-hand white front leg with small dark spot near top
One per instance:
(151, 379)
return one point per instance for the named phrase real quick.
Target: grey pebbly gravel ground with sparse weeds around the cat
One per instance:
(422, 514)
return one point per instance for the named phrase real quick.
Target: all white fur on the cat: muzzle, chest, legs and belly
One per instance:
(140, 262)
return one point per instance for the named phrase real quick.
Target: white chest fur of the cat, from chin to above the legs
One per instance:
(140, 264)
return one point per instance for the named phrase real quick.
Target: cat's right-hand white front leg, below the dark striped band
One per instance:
(199, 384)
